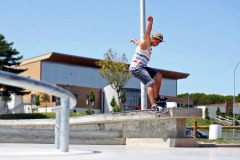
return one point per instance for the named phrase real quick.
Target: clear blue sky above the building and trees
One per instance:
(202, 36)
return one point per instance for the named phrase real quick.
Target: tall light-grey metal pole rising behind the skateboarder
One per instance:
(142, 33)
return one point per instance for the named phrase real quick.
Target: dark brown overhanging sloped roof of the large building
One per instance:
(90, 62)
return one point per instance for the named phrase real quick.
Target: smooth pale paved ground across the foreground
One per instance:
(113, 152)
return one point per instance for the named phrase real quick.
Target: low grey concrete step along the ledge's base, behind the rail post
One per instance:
(46, 136)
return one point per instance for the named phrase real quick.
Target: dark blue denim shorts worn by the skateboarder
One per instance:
(146, 75)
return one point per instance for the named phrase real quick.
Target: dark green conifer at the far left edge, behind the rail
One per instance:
(9, 60)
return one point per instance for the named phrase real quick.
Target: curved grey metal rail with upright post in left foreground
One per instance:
(68, 101)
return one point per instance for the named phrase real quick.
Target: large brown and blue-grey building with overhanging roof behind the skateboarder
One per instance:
(80, 75)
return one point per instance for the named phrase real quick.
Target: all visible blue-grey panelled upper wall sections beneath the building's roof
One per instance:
(89, 77)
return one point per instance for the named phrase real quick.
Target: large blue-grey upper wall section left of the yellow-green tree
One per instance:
(56, 73)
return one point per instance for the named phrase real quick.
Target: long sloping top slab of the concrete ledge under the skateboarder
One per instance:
(113, 117)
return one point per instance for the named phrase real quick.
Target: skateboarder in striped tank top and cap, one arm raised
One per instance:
(147, 75)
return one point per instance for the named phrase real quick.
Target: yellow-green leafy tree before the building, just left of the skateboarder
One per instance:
(115, 70)
